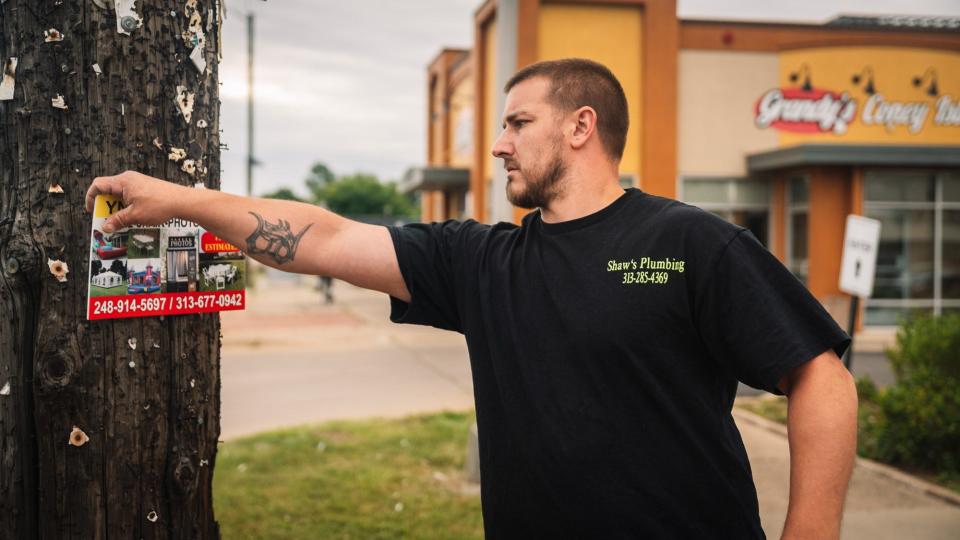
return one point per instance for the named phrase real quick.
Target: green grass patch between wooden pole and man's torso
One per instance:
(367, 479)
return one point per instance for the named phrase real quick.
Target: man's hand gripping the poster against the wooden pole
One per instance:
(146, 200)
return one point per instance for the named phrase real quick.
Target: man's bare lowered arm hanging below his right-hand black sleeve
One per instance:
(822, 430)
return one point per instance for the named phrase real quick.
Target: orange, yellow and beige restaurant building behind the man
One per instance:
(782, 128)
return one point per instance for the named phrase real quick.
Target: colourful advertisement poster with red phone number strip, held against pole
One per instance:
(172, 269)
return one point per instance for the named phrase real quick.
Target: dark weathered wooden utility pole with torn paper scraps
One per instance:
(151, 412)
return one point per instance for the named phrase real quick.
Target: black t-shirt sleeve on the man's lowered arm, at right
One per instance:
(758, 320)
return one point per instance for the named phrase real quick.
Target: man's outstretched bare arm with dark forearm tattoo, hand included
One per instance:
(291, 236)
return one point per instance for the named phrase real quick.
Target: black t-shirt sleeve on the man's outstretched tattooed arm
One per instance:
(433, 259)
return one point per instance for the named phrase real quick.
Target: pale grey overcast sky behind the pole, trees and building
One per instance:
(344, 81)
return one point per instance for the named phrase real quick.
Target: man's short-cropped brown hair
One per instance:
(577, 82)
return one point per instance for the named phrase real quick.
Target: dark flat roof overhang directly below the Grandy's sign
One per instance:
(855, 154)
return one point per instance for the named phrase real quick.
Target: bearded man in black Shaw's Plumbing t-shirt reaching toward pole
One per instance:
(606, 333)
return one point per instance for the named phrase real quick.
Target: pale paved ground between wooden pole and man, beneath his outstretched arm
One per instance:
(289, 359)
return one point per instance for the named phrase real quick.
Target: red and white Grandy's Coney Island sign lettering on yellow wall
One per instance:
(820, 110)
